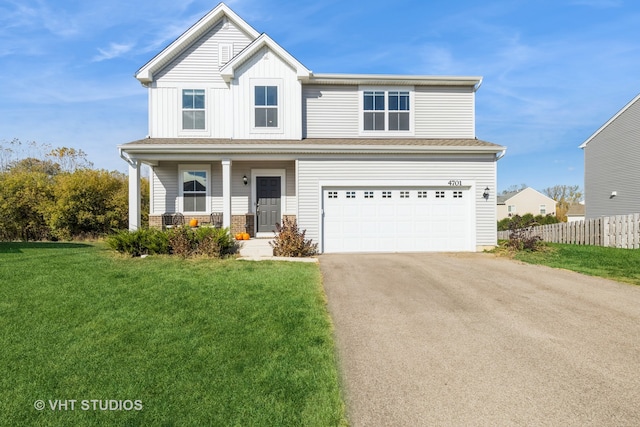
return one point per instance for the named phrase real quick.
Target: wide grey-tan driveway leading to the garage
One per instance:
(471, 339)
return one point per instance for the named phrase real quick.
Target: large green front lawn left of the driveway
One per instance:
(198, 342)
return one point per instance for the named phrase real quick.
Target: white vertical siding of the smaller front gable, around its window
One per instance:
(265, 65)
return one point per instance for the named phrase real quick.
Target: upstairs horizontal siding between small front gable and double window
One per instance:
(330, 111)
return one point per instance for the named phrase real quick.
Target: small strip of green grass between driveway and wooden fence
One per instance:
(612, 263)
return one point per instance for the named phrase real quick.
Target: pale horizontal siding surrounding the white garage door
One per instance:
(479, 170)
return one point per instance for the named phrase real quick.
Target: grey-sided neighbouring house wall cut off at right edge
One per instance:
(612, 165)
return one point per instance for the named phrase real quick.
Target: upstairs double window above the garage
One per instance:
(386, 110)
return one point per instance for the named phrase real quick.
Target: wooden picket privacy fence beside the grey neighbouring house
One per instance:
(621, 231)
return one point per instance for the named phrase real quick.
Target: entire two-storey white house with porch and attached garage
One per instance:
(365, 163)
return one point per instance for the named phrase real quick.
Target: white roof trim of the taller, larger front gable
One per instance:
(221, 11)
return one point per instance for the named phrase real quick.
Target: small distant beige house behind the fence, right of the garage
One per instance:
(526, 201)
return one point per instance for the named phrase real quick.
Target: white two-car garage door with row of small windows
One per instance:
(406, 219)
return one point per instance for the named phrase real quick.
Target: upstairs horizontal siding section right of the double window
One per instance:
(444, 112)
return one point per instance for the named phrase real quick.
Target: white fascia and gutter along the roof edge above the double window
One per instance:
(377, 79)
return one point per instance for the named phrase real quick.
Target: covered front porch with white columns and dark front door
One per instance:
(245, 193)
